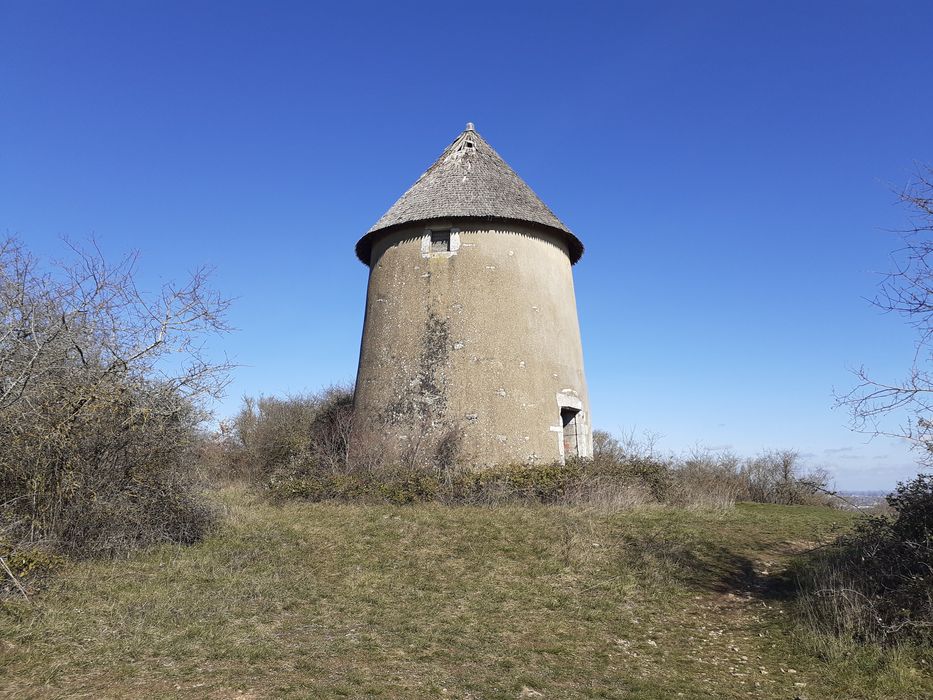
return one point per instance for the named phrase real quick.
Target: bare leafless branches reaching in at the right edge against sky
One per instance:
(906, 290)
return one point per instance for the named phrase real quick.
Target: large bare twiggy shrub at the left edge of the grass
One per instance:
(100, 404)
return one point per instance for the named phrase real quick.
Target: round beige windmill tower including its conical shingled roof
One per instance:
(470, 340)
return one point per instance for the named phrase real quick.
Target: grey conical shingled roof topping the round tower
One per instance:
(469, 180)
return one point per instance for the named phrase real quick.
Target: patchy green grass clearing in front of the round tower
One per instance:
(307, 601)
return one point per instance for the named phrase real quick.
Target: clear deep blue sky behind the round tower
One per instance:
(728, 166)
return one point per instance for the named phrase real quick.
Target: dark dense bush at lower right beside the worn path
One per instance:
(875, 584)
